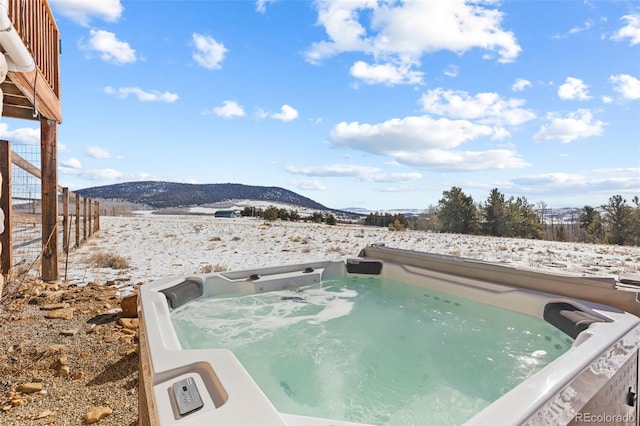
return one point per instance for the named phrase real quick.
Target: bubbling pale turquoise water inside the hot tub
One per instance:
(371, 350)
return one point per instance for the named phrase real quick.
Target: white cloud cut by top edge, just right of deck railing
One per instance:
(82, 11)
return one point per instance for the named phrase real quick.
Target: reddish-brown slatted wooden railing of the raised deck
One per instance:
(36, 26)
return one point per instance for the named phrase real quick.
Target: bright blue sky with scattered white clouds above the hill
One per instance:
(361, 103)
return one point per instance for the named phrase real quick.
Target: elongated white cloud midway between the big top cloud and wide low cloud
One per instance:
(487, 107)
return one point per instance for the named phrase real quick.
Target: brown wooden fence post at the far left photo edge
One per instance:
(6, 249)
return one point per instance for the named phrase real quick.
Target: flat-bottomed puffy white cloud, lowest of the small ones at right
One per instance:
(576, 125)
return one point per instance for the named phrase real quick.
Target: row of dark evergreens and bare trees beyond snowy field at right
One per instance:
(616, 222)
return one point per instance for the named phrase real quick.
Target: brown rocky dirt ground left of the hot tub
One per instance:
(69, 357)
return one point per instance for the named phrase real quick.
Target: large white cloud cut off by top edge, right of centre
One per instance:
(400, 33)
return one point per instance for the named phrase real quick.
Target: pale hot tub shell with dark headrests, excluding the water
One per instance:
(596, 380)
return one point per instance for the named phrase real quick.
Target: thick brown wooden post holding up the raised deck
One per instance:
(49, 171)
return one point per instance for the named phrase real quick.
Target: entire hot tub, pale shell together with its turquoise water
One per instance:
(586, 329)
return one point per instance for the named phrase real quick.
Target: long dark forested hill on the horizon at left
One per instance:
(160, 195)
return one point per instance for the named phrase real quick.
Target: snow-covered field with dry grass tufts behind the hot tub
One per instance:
(157, 246)
